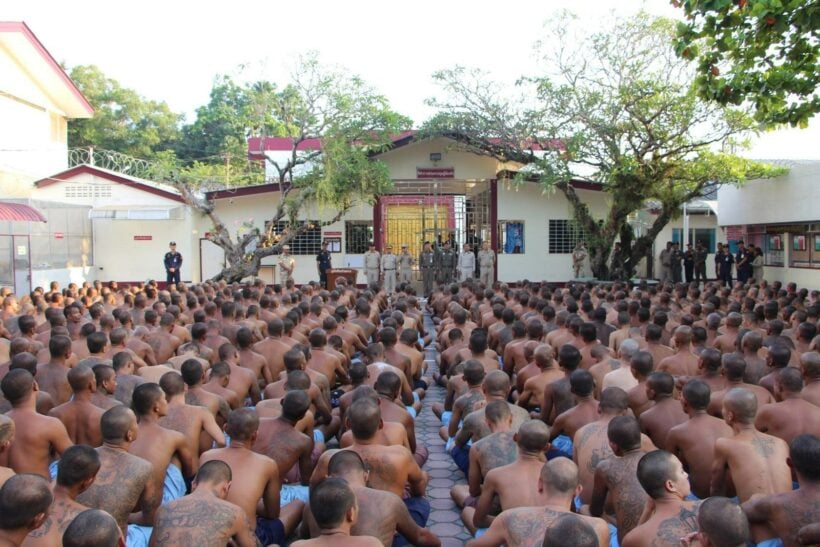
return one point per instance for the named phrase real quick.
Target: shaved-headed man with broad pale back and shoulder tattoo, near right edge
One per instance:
(756, 461)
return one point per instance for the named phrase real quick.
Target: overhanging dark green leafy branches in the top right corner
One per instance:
(761, 51)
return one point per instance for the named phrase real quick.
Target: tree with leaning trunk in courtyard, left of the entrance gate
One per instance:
(352, 121)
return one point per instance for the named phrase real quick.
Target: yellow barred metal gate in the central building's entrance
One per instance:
(436, 211)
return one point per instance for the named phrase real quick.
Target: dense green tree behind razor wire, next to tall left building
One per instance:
(123, 121)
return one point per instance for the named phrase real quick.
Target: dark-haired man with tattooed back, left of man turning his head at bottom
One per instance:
(617, 477)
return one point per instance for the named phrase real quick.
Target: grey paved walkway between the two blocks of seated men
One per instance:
(445, 518)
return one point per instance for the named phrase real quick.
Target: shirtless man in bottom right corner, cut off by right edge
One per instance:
(786, 513)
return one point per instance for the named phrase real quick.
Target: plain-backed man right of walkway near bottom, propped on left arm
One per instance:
(514, 484)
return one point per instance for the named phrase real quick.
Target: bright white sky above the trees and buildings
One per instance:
(171, 50)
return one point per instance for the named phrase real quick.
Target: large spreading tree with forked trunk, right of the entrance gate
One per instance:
(616, 108)
